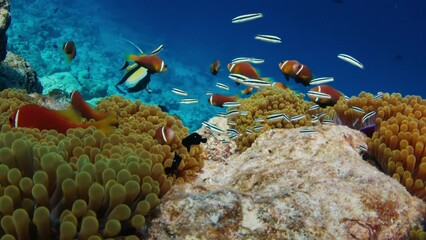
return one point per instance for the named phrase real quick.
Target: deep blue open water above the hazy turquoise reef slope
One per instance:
(387, 36)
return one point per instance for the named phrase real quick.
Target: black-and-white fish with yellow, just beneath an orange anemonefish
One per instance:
(135, 79)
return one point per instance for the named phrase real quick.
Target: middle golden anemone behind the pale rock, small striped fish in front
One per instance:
(265, 103)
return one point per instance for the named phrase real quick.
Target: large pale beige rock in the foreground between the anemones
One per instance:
(291, 185)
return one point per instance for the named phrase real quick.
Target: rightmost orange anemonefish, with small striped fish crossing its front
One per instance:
(331, 95)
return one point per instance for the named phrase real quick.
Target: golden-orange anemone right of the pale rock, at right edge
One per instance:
(398, 141)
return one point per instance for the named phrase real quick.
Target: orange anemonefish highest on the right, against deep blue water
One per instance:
(296, 70)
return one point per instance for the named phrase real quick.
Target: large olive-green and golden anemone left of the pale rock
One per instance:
(84, 183)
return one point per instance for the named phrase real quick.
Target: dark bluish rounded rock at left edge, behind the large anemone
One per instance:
(15, 72)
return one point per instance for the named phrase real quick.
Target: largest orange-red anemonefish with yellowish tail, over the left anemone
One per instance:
(34, 116)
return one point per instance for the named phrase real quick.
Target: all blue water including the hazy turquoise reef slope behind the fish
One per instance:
(387, 36)
